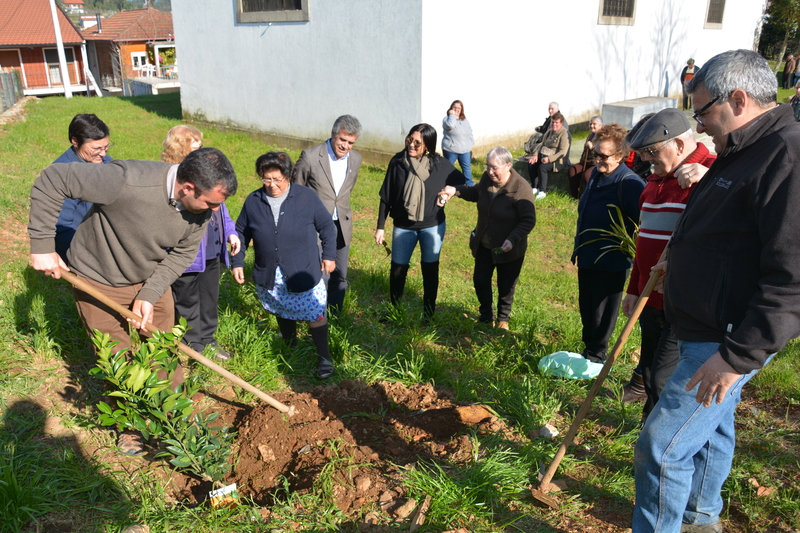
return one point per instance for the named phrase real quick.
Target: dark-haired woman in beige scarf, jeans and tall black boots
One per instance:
(414, 178)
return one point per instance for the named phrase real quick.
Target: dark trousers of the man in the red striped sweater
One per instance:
(659, 354)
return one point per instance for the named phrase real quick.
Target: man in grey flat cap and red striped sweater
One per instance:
(666, 140)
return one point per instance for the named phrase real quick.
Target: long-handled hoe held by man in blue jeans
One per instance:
(540, 493)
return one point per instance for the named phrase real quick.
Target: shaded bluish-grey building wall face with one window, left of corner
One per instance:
(359, 57)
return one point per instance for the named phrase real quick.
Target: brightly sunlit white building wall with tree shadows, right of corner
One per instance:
(509, 60)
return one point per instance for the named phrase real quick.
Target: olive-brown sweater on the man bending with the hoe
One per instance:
(132, 235)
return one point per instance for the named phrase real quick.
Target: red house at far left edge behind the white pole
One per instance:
(28, 46)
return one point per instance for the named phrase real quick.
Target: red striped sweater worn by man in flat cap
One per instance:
(661, 204)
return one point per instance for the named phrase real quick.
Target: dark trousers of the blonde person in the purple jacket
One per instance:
(196, 297)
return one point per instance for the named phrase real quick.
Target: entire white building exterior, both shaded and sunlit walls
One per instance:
(394, 64)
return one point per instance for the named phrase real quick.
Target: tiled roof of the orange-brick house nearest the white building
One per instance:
(137, 25)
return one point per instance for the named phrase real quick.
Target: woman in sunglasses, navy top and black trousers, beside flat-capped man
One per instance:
(602, 266)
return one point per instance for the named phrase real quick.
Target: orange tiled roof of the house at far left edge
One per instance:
(29, 22)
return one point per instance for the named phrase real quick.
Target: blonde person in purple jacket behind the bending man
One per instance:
(196, 292)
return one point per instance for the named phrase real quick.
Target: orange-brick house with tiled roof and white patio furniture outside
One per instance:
(131, 44)
